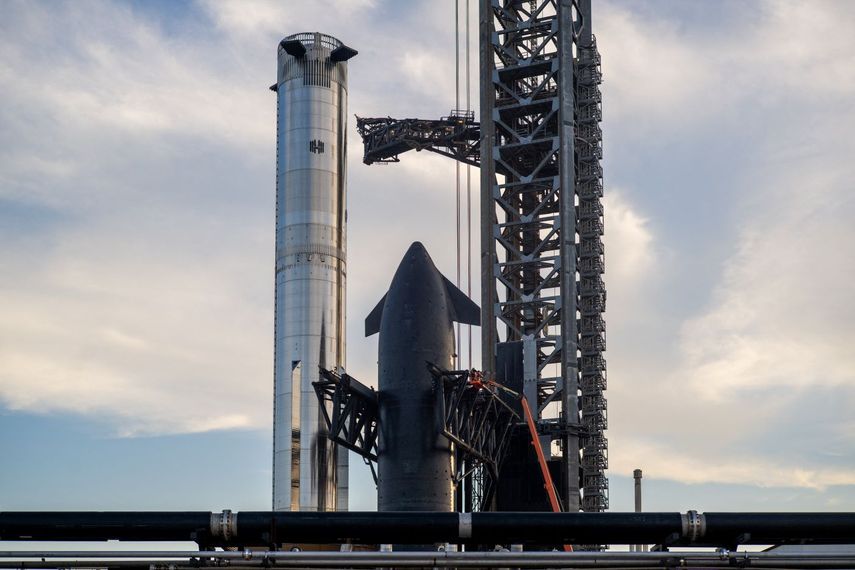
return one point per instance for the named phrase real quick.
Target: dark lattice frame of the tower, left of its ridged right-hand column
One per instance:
(529, 221)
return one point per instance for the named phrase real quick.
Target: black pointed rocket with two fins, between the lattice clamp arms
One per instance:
(414, 320)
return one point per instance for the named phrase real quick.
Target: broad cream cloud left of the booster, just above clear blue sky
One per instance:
(156, 344)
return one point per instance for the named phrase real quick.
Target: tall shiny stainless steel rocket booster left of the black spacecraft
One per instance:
(309, 471)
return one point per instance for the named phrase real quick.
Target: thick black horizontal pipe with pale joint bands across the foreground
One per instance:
(267, 528)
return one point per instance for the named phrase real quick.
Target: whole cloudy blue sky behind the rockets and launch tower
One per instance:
(137, 173)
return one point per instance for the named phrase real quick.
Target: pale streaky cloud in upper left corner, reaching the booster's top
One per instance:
(119, 72)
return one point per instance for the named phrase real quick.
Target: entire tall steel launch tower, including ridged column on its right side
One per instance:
(542, 222)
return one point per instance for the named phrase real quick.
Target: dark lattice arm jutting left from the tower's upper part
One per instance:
(456, 136)
